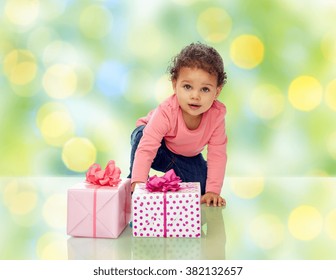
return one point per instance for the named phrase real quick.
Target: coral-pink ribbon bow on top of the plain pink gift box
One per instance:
(108, 177)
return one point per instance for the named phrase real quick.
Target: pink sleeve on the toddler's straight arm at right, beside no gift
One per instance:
(217, 158)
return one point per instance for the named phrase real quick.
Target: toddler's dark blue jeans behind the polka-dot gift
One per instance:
(189, 169)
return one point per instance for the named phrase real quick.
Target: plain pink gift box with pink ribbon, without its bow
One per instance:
(98, 211)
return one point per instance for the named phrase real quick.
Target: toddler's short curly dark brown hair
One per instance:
(201, 56)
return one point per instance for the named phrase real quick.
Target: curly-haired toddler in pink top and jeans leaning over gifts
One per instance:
(174, 134)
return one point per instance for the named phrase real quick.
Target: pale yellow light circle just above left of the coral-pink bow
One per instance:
(78, 154)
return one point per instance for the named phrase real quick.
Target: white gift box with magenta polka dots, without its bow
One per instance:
(167, 214)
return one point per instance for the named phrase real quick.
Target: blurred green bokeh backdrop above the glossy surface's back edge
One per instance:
(116, 54)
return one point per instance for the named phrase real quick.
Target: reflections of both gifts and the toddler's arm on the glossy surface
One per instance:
(210, 246)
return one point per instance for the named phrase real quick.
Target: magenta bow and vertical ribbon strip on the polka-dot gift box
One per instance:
(168, 182)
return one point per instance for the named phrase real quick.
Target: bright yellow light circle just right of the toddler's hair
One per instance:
(247, 51)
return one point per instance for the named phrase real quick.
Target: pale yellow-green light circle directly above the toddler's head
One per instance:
(214, 25)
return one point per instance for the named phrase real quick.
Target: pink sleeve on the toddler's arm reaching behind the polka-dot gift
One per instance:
(153, 133)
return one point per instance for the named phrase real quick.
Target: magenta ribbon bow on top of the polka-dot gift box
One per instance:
(168, 182)
